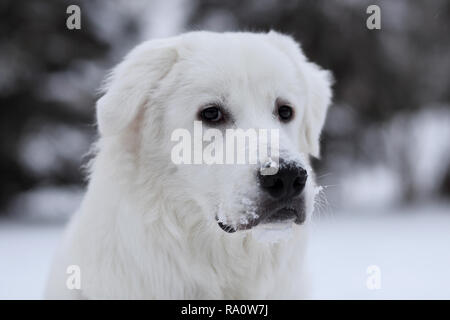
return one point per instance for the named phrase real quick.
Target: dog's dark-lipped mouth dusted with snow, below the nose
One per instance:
(283, 215)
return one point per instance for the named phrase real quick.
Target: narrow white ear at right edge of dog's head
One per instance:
(318, 83)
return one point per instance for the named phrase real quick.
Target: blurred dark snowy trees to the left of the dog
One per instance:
(48, 81)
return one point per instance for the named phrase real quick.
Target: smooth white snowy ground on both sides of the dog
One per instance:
(410, 246)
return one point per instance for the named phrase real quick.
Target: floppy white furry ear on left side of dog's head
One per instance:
(130, 84)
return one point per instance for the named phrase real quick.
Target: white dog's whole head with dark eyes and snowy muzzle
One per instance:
(173, 104)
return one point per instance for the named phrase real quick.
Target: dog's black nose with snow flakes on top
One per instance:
(288, 182)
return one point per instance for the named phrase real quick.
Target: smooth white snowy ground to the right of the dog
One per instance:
(410, 246)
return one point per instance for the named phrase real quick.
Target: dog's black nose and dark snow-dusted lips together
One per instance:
(282, 199)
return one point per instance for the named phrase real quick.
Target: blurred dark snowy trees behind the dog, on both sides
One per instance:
(387, 133)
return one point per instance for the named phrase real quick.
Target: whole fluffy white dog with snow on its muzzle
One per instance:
(148, 228)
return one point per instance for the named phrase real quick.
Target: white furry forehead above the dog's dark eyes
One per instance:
(240, 63)
